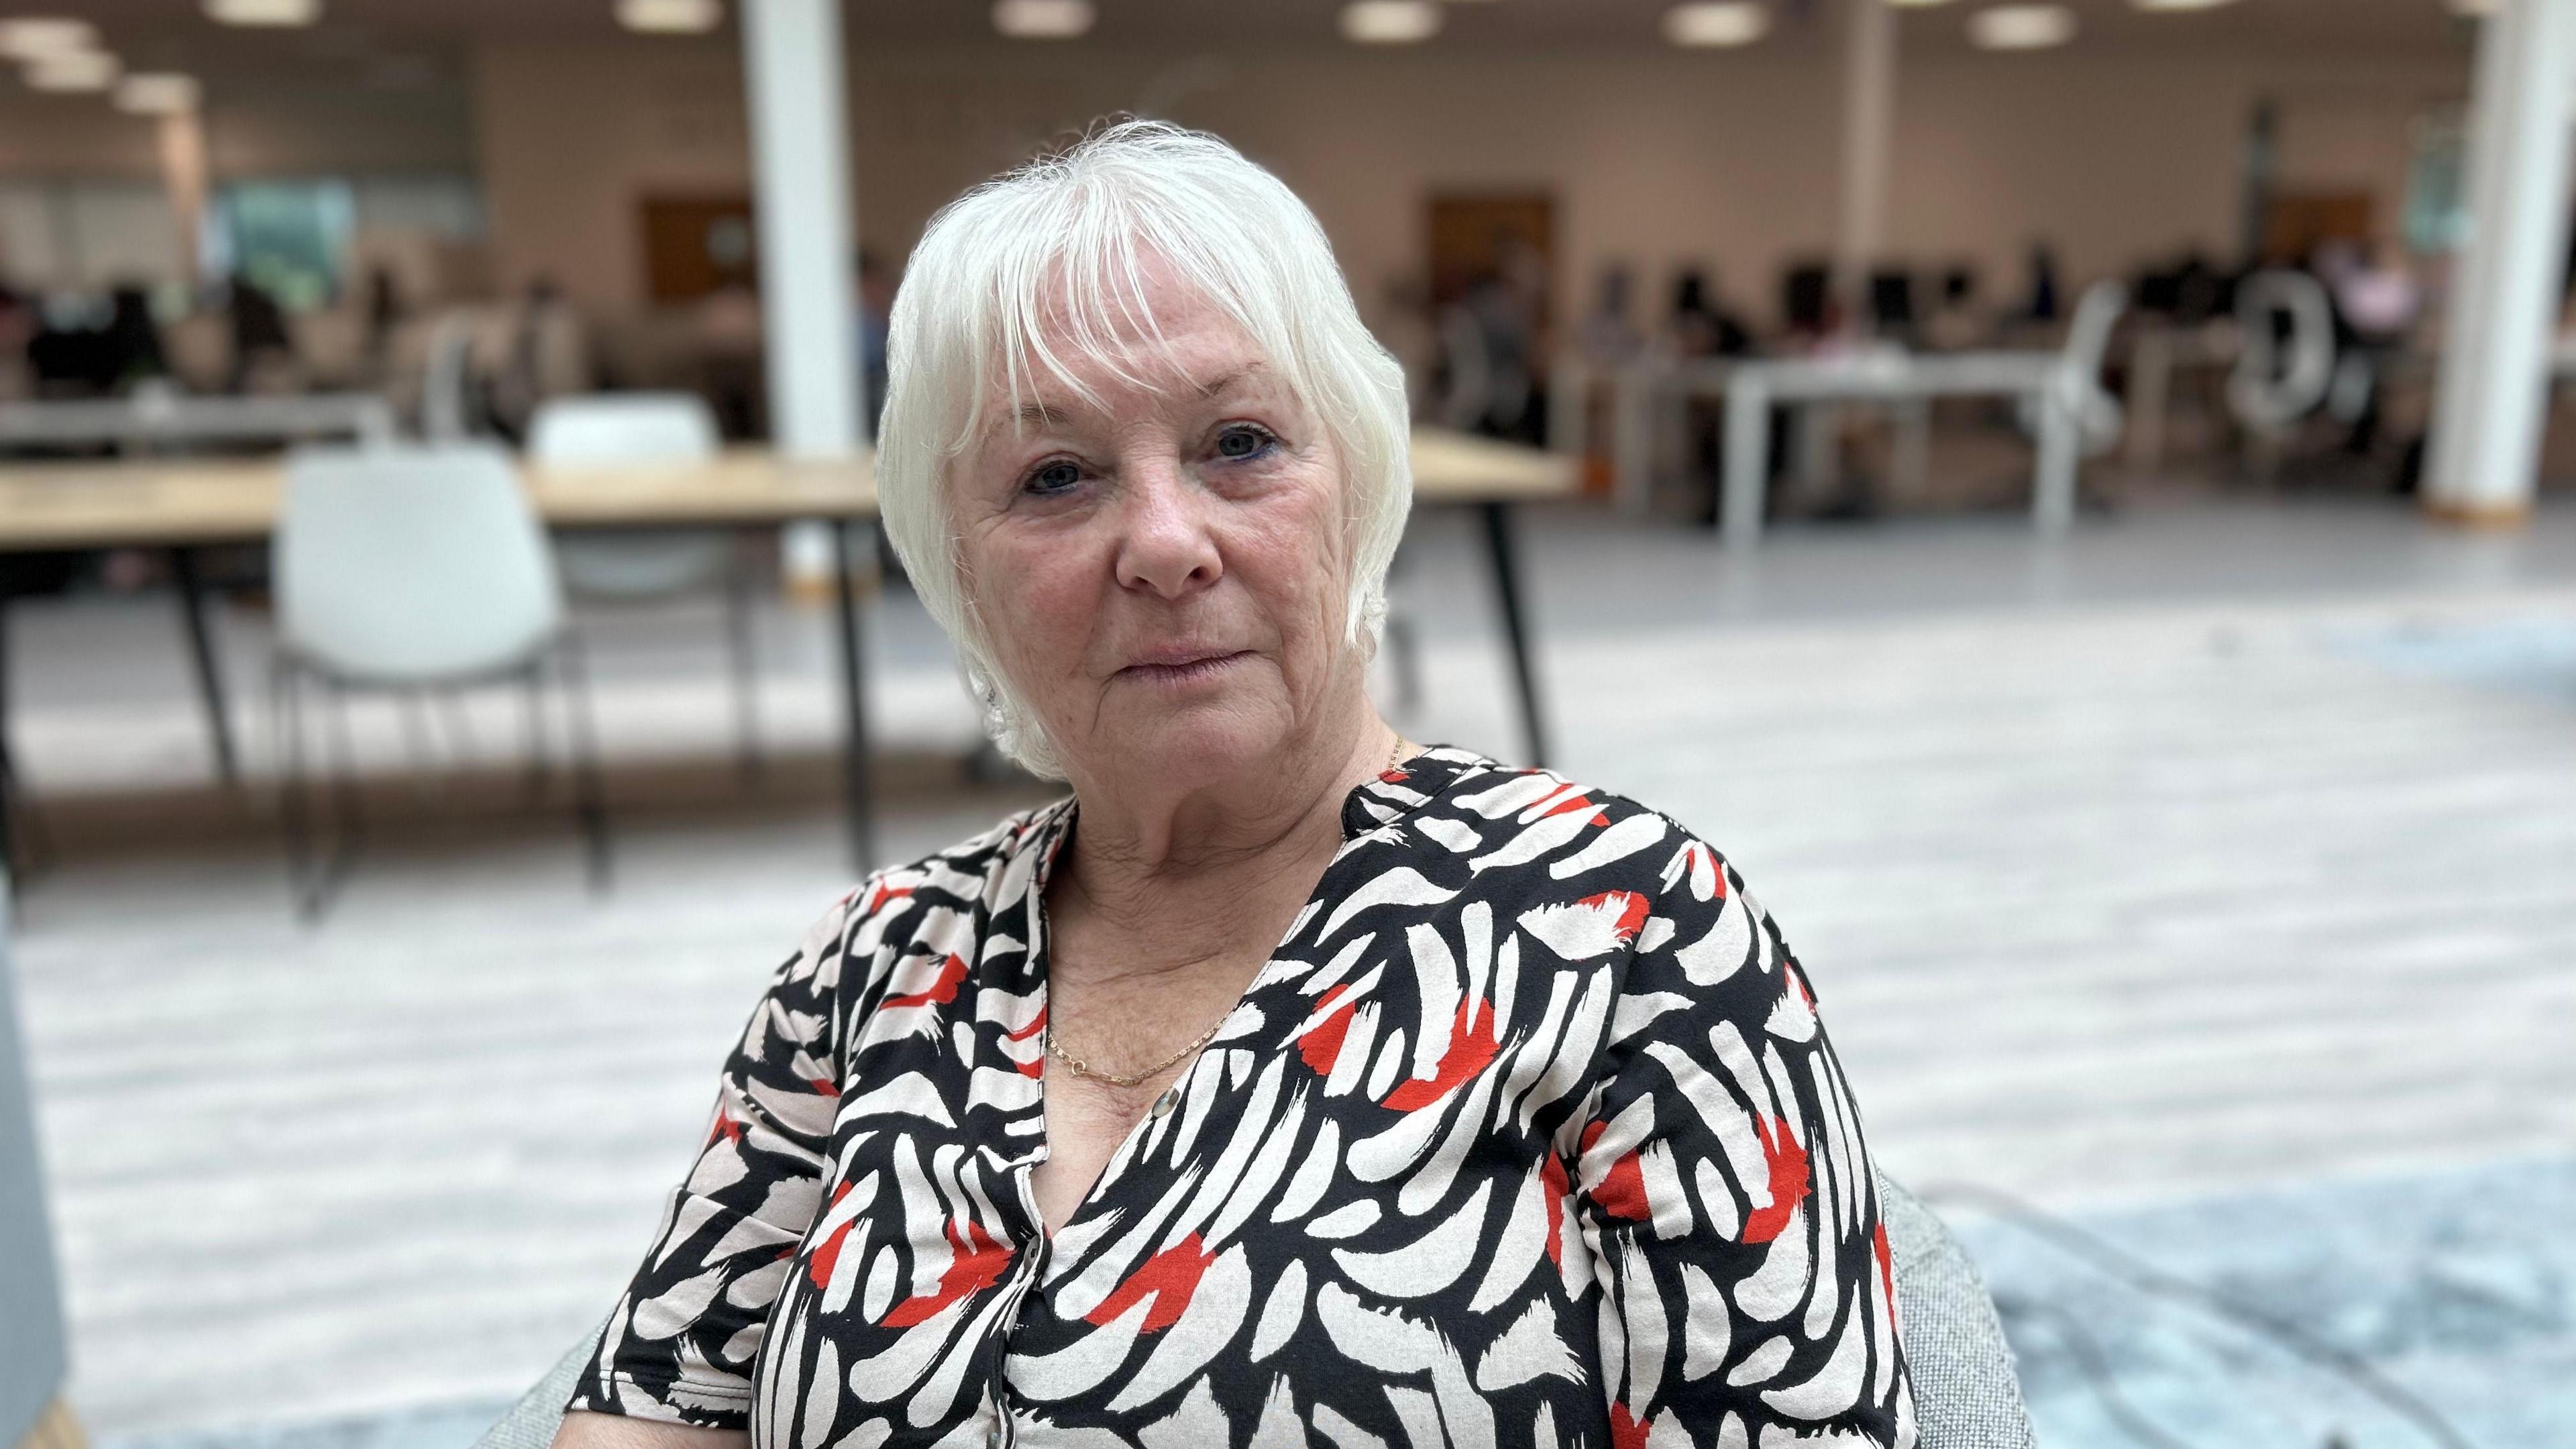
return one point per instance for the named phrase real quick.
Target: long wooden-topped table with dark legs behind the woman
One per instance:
(189, 504)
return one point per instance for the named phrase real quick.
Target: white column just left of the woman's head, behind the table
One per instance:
(802, 205)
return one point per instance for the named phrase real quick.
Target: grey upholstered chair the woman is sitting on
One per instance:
(1964, 1388)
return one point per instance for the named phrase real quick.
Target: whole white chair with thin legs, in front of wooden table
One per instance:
(416, 569)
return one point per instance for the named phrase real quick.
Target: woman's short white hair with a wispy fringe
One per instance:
(1050, 262)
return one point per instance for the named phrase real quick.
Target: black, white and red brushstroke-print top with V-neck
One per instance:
(1524, 1136)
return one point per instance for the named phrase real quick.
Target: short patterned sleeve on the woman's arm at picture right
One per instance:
(1727, 1195)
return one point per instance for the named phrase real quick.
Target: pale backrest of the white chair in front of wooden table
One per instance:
(411, 566)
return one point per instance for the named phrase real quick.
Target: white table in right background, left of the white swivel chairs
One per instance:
(1753, 388)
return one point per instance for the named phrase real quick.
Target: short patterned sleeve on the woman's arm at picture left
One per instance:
(684, 1337)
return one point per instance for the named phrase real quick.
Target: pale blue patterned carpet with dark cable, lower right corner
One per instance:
(2451, 1288)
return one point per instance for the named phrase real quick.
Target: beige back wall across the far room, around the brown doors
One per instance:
(1655, 159)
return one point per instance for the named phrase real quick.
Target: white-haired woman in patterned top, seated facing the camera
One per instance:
(1289, 1082)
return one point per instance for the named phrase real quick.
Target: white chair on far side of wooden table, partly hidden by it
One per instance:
(658, 563)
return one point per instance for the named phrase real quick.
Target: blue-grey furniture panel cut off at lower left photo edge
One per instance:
(32, 1342)
